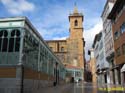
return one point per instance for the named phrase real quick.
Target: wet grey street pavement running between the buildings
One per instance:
(75, 88)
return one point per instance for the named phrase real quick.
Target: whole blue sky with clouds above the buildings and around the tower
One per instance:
(50, 17)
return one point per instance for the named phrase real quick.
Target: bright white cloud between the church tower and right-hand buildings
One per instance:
(90, 34)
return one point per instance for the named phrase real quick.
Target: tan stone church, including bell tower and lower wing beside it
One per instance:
(71, 50)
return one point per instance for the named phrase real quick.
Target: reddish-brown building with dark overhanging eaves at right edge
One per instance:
(117, 16)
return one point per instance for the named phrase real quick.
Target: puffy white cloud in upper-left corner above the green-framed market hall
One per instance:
(18, 6)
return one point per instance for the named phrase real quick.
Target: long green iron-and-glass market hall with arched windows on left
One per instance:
(26, 61)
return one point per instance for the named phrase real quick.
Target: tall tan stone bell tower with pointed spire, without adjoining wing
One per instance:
(75, 41)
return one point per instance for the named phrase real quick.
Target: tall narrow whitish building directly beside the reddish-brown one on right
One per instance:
(108, 39)
